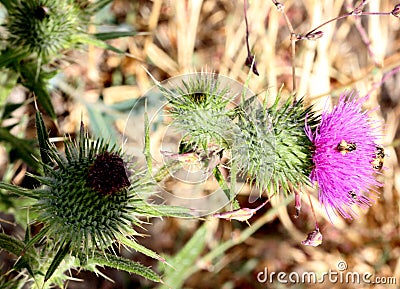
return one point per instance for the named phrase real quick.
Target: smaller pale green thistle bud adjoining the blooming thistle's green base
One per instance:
(198, 105)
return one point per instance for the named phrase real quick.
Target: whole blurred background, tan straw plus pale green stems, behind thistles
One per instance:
(176, 37)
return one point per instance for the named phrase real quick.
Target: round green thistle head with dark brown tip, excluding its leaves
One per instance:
(88, 198)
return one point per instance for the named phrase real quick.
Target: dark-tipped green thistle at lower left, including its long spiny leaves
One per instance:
(89, 200)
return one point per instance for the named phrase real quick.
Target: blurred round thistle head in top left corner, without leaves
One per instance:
(43, 28)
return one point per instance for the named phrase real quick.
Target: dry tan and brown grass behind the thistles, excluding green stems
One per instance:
(186, 36)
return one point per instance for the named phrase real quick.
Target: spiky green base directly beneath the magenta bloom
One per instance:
(274, 150)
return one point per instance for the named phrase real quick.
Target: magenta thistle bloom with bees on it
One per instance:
(344, 157)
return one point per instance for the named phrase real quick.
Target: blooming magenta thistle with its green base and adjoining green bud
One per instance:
(281, 148)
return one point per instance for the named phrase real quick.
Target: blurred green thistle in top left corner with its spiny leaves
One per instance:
(38, 34)
